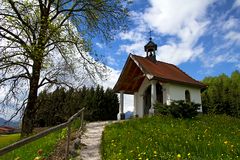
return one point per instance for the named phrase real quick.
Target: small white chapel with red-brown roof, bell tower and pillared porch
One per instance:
(151, 81)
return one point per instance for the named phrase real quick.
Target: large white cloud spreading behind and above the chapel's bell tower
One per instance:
(184, 20)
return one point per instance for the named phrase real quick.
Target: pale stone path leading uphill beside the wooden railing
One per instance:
(92, 140)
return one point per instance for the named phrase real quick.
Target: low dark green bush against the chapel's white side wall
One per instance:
(178, 109)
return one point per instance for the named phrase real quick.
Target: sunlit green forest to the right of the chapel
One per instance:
(222, 95)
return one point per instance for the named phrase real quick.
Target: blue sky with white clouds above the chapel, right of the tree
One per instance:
(201, 37)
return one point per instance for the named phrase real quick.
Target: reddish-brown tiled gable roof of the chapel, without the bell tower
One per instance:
(137, 67)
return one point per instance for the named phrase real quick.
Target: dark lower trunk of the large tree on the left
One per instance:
(30, 110)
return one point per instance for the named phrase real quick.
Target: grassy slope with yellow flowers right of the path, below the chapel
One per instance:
(201, 138)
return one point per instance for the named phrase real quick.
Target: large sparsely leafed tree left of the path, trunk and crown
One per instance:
(44, 42)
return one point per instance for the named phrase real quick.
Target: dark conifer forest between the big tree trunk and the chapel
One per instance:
(58, 106)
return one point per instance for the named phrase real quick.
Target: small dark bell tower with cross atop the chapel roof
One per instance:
(150, 49)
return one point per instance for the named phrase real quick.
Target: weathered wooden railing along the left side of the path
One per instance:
(46, 132)
